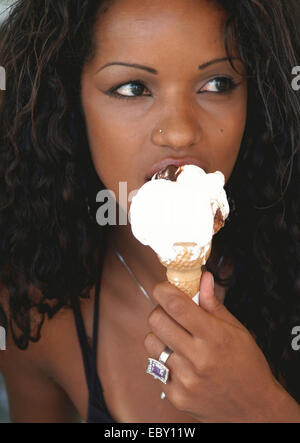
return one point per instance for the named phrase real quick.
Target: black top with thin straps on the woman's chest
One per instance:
(97, 410)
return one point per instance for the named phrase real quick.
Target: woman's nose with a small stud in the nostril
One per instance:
(177, 128)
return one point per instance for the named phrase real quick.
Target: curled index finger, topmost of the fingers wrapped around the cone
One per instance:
(182, 309)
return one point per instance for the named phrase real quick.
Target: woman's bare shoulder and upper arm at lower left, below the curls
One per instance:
(34, 395)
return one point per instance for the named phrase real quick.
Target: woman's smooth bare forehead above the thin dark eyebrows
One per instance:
(151, 28)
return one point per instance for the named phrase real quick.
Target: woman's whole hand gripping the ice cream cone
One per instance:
(217, 371)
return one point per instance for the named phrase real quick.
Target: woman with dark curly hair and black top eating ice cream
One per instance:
(100, 93)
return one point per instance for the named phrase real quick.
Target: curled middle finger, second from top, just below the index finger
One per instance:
(170, 332)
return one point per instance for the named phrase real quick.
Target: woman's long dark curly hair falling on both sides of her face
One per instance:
(50, 244)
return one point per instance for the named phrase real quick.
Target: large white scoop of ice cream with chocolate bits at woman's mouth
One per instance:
(189, 210)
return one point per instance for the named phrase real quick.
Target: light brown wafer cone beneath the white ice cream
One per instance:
(184, 271)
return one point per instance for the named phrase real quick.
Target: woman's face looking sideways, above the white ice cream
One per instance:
(160, 65)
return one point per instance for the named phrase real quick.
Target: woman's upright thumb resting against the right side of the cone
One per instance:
(209, 301)
